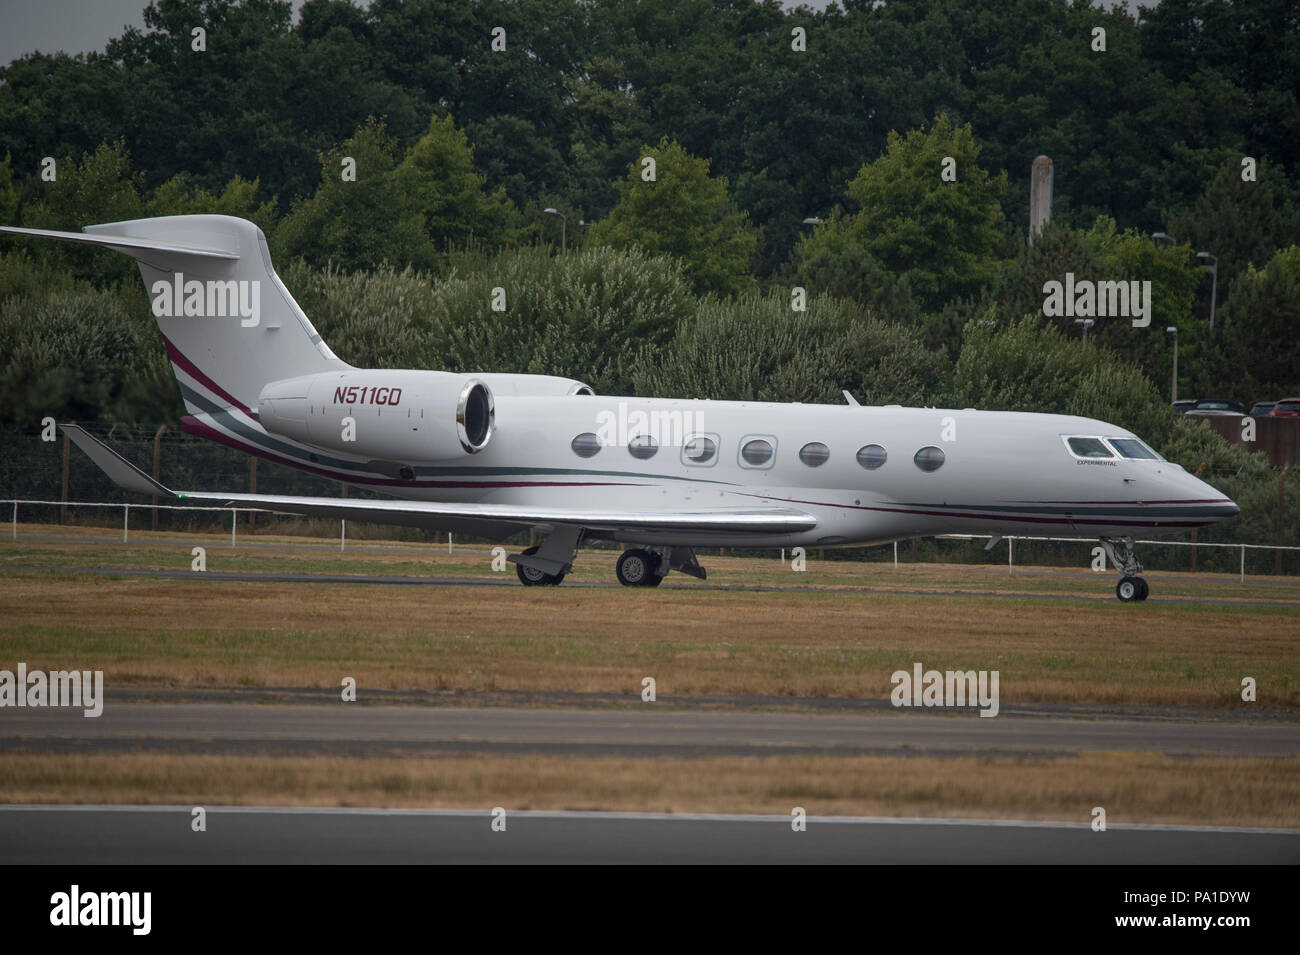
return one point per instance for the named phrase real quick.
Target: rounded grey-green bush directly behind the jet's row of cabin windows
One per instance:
(757, 349)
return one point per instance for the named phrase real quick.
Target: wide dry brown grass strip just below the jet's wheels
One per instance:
(176, 633)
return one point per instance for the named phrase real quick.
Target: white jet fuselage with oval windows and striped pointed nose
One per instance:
(860, 472)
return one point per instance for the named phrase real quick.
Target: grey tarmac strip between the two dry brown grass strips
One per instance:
(372, 731)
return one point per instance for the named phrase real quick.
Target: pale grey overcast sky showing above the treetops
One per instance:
(80, 27)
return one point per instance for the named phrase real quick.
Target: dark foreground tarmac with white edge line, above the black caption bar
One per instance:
(76, 836)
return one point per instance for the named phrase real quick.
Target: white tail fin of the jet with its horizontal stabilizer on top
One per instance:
(228, 322)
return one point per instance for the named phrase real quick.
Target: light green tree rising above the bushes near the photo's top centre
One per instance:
(684, 214)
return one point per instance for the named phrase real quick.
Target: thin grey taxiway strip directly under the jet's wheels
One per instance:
(1103, 596)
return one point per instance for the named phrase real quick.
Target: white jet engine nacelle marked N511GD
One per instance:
(391, 416)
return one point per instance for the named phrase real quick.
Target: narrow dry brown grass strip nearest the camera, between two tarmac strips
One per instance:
(1133, 788)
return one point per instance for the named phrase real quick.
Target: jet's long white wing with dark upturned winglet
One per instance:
(489, 520)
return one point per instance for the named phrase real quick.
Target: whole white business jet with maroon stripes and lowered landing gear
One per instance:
(492, 455)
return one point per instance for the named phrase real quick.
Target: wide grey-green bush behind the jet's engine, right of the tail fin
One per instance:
(590, 315)
